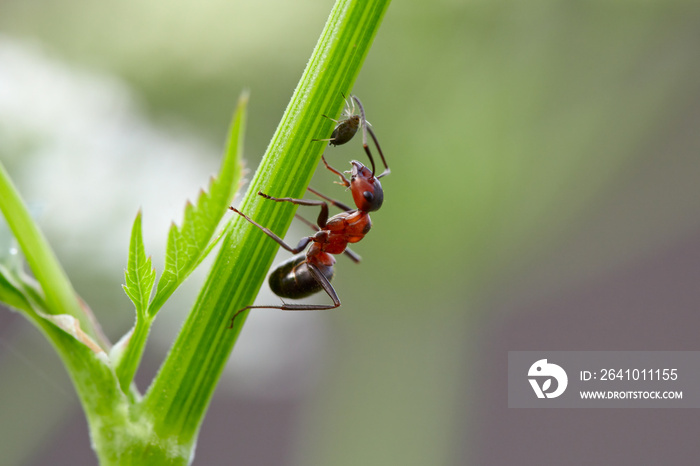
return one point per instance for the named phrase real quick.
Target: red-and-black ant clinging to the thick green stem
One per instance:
(310, 272)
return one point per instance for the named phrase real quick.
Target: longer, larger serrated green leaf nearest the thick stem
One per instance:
(189, 243)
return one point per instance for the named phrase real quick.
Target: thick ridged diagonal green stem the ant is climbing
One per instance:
(178, 398)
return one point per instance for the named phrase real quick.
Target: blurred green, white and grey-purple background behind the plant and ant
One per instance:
(544, 195)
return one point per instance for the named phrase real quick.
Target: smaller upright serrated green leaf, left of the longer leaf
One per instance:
(140, 276)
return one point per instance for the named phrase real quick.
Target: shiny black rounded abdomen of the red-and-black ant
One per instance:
(293, 279)
